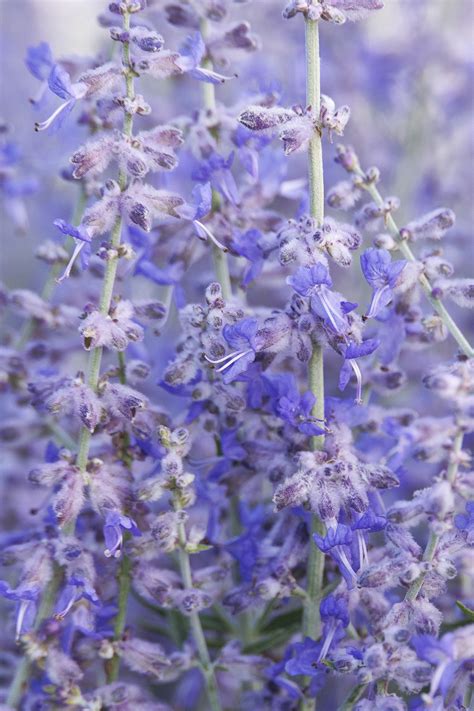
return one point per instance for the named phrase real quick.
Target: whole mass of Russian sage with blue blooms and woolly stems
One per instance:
(236, 433)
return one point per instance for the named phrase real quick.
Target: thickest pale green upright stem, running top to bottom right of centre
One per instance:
(315, 568)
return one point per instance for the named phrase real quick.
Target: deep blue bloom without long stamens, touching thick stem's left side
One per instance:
(294, 408)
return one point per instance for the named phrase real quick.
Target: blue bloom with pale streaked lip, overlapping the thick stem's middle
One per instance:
(328, 305)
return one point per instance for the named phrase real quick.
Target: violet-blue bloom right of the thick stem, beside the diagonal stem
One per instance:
(383, 275)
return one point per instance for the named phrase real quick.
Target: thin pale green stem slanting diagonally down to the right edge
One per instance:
(405, 249)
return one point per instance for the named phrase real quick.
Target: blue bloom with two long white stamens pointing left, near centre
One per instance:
(241, 337)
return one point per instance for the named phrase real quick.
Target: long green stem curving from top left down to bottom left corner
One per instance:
(95, 358)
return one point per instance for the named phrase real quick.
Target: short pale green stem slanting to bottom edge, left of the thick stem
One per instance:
(196, 627)
